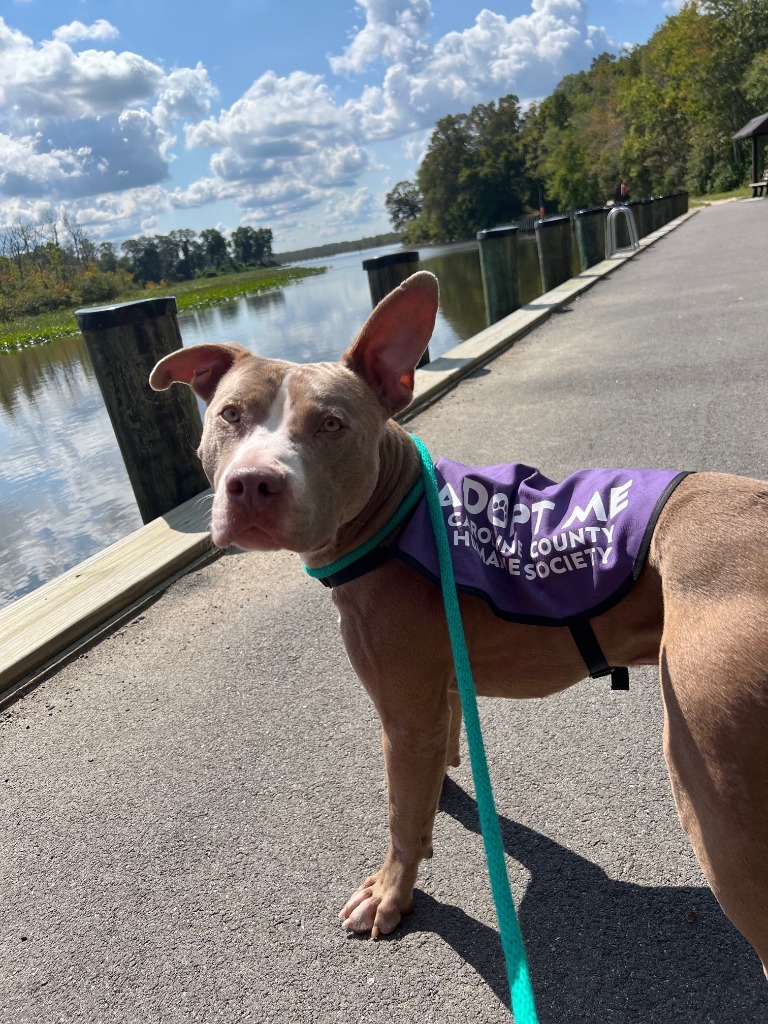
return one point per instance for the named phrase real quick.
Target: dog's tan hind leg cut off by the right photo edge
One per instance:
(714, 671)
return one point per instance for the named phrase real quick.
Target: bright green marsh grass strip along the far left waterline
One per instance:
(199, 294)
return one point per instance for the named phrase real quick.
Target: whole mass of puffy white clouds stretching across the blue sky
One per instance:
(103, 130)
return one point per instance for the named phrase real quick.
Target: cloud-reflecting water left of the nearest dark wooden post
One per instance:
(64, 490)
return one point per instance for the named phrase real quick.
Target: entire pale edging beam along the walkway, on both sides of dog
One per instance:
(55, 623)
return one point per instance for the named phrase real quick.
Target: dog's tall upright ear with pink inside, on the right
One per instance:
(388, 350)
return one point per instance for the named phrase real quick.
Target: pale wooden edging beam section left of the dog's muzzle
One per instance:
(36, 628)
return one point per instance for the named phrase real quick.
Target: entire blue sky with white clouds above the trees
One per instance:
(138, 117)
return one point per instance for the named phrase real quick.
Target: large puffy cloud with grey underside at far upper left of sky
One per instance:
(77, 124)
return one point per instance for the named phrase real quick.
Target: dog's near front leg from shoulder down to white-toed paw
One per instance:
(397, 639)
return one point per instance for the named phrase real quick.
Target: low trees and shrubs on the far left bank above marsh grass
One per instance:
(54, 265)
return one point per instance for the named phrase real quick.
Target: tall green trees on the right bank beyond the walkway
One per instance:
(660, 116)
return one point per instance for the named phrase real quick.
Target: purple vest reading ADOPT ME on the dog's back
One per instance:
(538, 551)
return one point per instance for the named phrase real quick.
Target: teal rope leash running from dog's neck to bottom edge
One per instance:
(522, 992)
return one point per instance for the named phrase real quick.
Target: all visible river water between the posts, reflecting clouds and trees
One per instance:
(65, 494)
